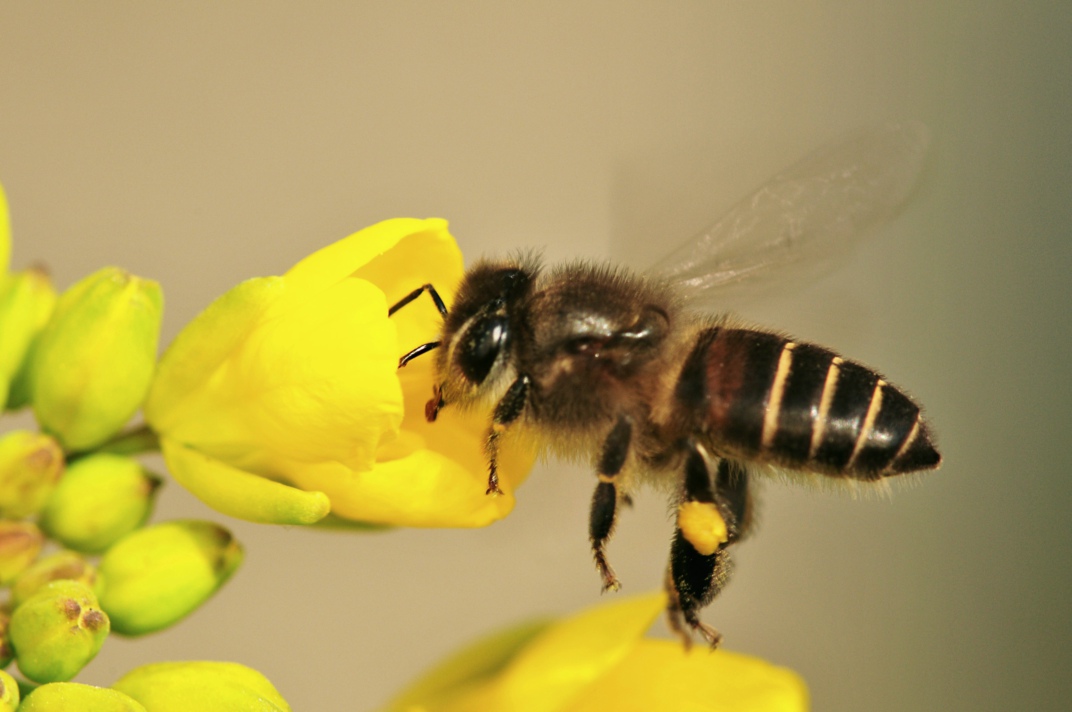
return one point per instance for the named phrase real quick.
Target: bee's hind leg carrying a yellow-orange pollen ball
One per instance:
(699, 559)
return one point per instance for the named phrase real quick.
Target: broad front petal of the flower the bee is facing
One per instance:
(312, 380)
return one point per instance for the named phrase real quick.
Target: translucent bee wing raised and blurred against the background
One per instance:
(806, 218)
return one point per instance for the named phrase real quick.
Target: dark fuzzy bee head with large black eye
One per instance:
(480, 333)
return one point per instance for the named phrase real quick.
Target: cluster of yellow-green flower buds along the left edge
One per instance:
(80, 558)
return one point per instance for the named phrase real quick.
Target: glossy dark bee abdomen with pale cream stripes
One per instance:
(760, 396)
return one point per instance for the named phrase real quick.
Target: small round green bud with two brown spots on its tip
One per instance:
(57, 632)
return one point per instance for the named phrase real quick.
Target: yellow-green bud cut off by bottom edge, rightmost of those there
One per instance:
(202, 687)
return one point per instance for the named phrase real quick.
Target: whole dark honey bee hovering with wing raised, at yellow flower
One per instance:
(631, 370)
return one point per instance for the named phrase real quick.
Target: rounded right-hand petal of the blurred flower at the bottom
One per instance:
(661, 675)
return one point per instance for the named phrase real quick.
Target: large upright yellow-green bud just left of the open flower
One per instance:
(94, 362)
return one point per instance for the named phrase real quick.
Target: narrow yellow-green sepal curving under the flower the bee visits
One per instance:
(240, 494)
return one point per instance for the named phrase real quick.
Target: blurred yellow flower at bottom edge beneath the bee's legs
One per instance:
(600, 661)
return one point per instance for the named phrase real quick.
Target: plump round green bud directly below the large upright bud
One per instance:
(101, 499)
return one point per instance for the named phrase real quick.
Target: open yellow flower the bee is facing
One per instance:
(284, 399)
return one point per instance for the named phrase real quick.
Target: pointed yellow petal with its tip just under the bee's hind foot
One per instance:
(572, 656)
